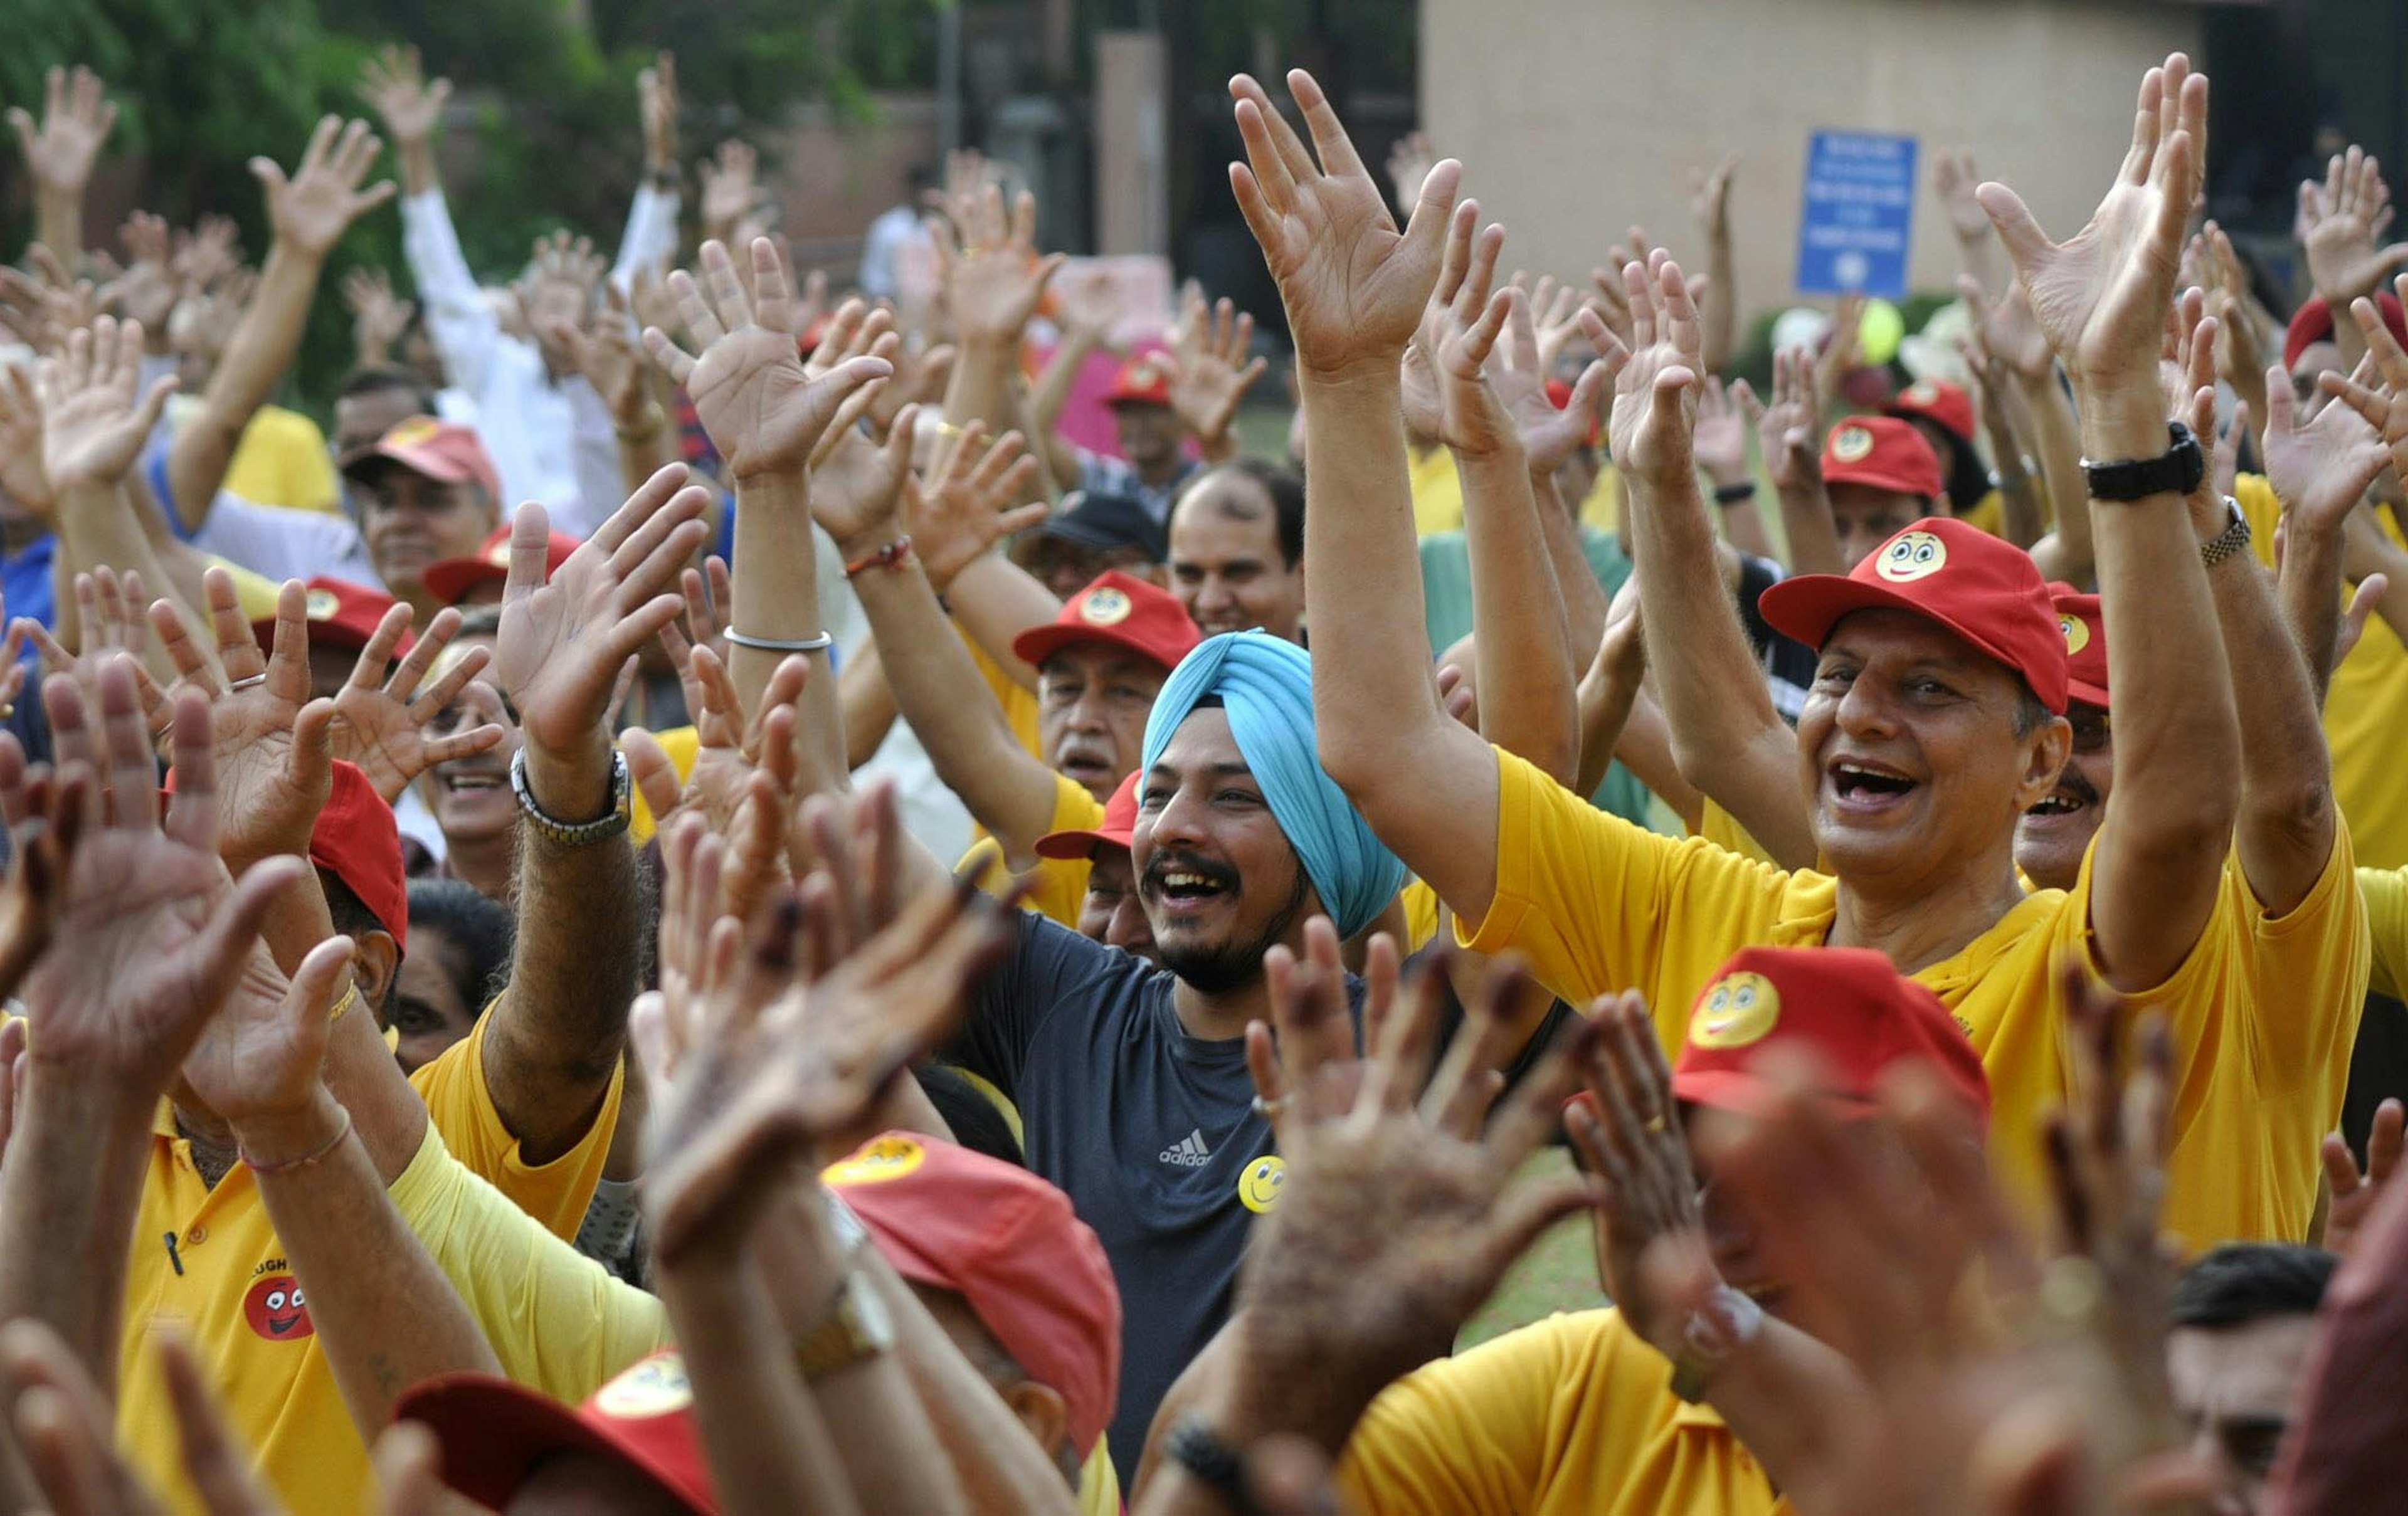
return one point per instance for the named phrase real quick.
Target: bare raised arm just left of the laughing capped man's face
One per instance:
(1725, 733)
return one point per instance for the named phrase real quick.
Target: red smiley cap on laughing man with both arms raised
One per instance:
(1956, 574)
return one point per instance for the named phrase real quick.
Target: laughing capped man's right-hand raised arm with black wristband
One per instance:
(2103, 302)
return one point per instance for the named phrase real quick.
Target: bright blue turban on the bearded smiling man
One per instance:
(1268, 689)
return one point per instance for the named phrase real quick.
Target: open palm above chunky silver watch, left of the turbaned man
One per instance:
(567, 634)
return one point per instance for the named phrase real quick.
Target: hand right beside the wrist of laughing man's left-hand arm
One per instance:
(1446, 386)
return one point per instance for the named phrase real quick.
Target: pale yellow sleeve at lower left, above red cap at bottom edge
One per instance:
(555, 1317)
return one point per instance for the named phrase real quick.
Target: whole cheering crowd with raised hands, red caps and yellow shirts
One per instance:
(700, 911)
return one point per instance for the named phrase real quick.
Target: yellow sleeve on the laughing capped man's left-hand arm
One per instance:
(1593, 899)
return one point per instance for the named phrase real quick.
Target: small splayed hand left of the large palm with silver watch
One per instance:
(386, 726)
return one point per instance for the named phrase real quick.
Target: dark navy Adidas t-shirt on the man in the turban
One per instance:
(1147, 1130)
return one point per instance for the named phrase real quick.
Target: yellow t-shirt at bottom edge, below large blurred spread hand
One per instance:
(1571, 1416)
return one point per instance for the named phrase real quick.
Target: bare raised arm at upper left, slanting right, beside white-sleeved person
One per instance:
(309, 215)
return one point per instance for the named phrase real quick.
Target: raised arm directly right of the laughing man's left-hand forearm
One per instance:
(1523, 653)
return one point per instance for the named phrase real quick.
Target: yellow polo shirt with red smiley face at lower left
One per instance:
(228, 1284)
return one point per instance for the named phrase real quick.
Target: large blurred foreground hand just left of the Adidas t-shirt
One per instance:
(774, 1062)
